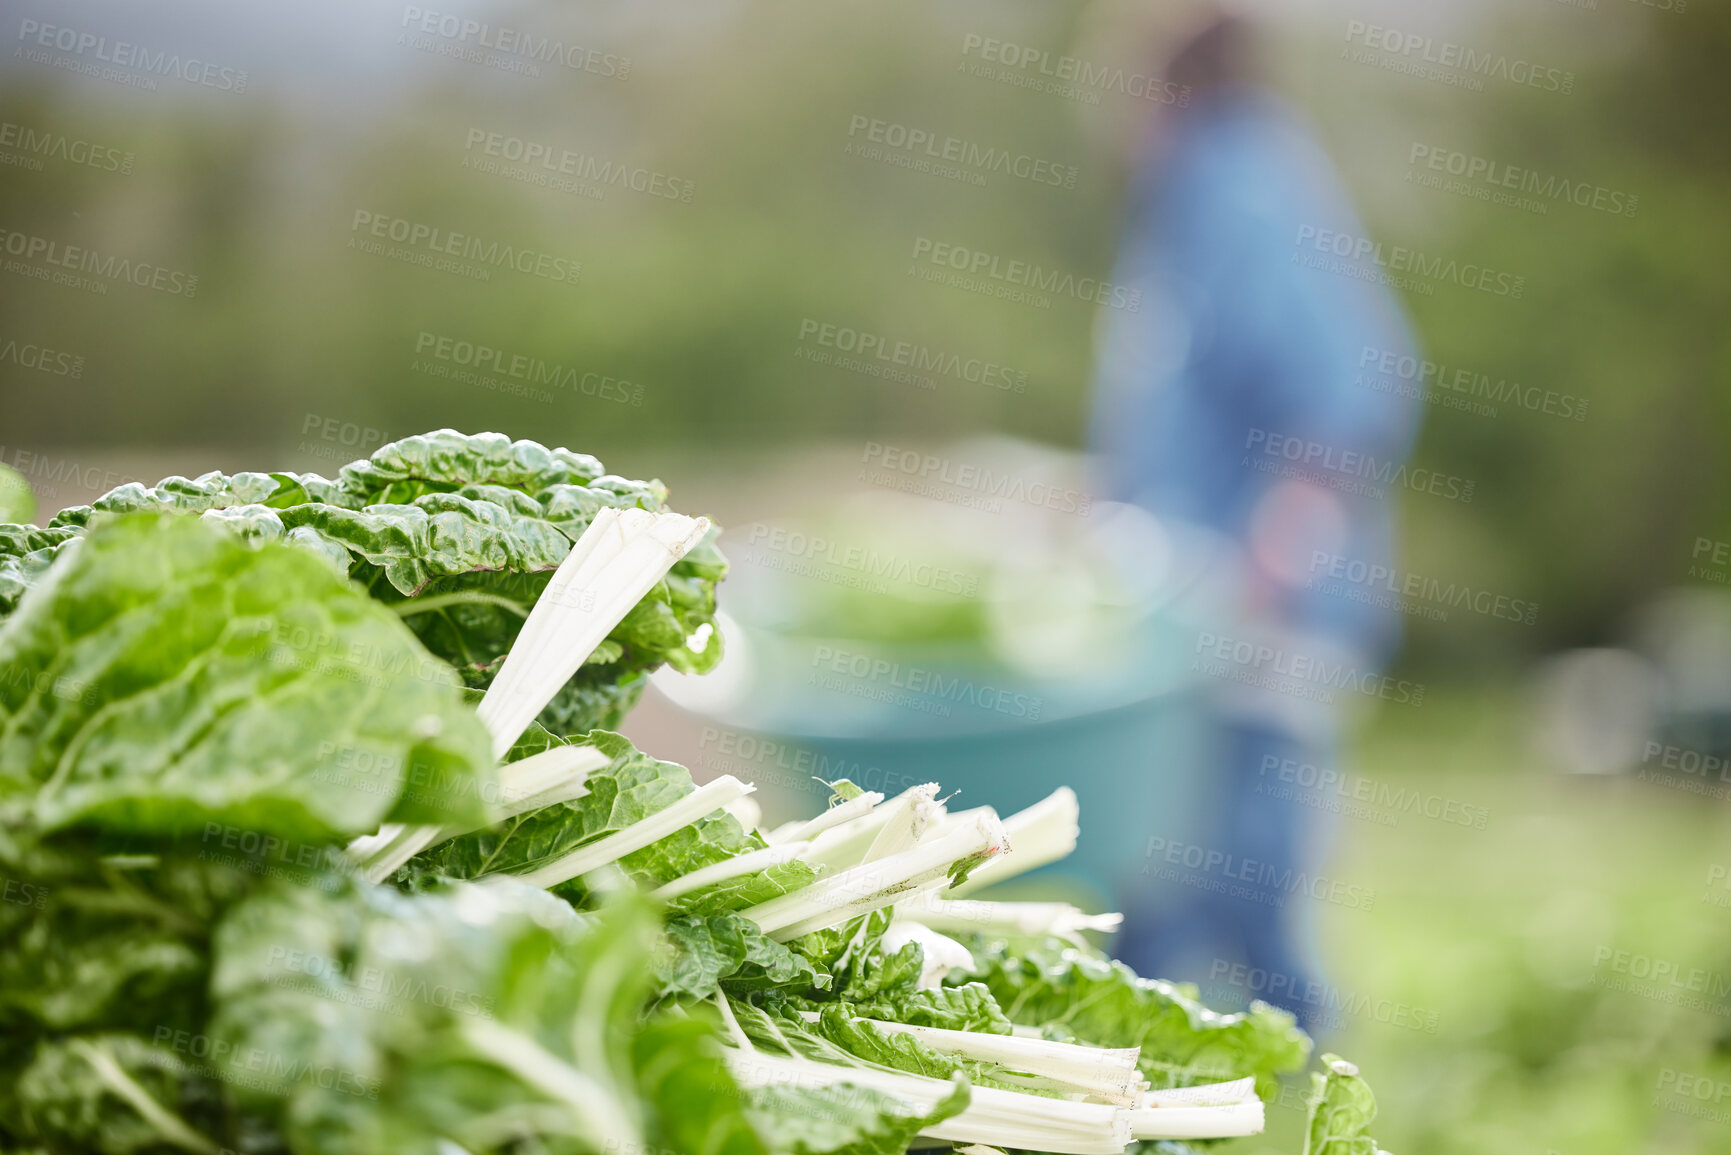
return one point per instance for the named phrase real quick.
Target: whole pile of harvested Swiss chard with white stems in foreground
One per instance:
(203, 725)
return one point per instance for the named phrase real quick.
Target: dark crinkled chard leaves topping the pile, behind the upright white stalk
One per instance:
(460, 536)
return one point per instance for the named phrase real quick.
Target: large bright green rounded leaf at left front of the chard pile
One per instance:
(165, 676)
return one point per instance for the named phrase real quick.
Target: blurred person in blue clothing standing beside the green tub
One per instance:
(1239, 356)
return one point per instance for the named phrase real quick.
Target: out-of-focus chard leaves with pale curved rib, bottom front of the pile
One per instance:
(486, 1016)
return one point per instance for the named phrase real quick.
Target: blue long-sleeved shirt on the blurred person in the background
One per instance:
(1245, 354)
